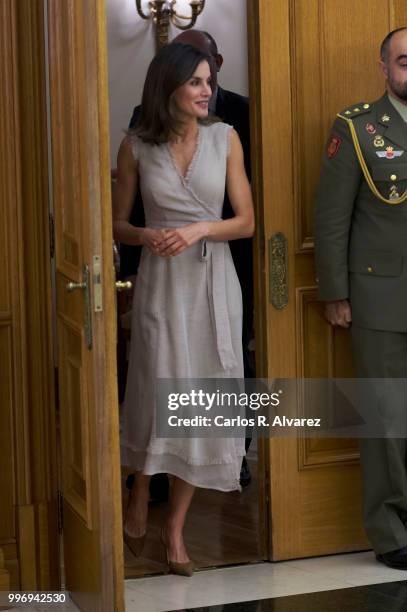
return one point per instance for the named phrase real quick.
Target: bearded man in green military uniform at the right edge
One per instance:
(361, 258)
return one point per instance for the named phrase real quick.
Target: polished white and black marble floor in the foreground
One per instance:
(273, 582)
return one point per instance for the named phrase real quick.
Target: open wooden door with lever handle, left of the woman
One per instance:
(89, 432)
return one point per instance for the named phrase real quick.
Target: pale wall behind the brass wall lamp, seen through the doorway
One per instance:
(131, 48)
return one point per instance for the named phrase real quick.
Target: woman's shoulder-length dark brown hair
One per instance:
(172, 67)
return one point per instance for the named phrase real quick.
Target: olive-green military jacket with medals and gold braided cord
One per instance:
(361, 240)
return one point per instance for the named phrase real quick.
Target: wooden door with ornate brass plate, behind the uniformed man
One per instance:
(312, 58)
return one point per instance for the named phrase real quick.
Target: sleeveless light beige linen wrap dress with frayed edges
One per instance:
(187, 314)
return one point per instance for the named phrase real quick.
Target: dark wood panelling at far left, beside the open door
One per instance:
(28, 483)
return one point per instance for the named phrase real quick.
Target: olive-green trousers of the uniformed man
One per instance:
(382, 354)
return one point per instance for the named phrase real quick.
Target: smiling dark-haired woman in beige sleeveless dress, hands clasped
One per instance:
(187, 311)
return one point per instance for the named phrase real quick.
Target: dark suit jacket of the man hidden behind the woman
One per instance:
(233, 109)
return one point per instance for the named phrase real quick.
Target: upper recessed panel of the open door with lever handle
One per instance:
(67, 105)
